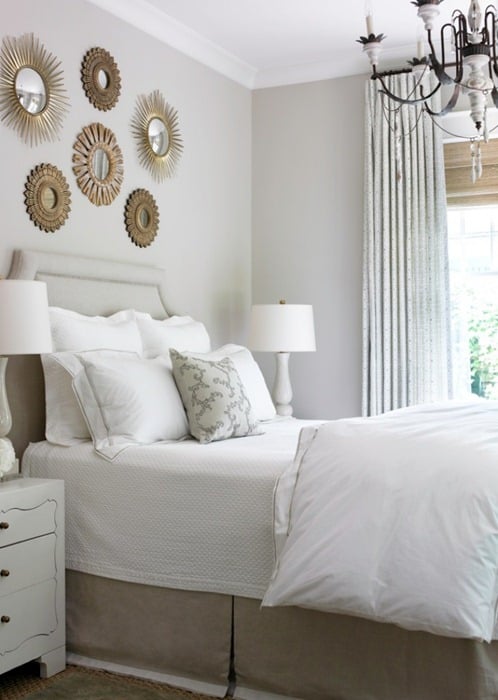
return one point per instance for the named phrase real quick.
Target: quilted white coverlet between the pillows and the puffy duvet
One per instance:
(180, 515)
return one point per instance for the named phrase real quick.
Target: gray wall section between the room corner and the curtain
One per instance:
(307, 231)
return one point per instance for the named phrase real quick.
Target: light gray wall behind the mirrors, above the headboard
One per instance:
(204, 239)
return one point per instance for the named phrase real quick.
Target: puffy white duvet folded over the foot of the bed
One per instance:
(395, 518)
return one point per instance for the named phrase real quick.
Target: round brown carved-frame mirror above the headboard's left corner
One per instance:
(47, 197)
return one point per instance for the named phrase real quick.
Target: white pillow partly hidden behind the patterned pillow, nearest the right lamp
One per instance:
(250, 375)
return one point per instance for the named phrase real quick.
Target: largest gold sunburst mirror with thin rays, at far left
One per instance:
(33, 100)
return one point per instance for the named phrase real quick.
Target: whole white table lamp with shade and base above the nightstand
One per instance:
(24, 330)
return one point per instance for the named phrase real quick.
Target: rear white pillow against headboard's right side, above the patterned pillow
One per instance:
(180, 332)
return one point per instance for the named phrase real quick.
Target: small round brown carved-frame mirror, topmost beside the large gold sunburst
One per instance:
(101, 79)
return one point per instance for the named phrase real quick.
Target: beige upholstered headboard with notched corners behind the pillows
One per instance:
(90, 286)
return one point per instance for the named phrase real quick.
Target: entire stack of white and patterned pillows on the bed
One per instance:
(130, 379)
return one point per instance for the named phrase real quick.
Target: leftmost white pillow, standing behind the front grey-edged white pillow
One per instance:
(65, 423)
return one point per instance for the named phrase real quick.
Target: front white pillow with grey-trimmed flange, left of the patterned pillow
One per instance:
(129, 400)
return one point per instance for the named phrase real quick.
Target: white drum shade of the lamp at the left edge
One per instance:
(24, 319)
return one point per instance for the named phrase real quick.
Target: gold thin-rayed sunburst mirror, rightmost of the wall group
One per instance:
(155, 128)
